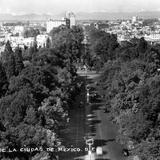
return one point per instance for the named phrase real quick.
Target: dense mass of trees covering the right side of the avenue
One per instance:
(130, 83)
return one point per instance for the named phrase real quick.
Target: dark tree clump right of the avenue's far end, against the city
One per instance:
(100, 48)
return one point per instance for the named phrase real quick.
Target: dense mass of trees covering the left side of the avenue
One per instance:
(35, 95)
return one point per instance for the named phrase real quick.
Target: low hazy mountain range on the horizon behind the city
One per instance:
(81, 16)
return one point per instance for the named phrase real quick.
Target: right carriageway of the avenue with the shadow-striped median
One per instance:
(100, 127)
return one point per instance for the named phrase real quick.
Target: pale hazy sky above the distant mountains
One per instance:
(58, 6)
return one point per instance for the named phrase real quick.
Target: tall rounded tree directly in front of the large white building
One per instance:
(68, 42)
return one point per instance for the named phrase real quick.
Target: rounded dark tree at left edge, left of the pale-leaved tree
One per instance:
(13, 107)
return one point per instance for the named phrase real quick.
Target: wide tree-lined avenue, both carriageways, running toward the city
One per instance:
(90, 121)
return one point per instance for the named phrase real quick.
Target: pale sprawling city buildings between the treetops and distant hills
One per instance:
(18, 33)
